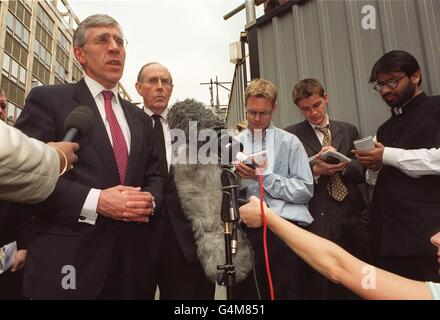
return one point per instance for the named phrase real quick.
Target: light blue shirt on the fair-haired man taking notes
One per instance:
(287, 180)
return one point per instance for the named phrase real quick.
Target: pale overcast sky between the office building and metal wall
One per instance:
(189, 37)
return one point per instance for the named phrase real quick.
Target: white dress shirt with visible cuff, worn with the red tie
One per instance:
(88, 211)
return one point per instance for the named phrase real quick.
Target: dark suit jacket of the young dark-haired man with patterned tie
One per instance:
(330, 215)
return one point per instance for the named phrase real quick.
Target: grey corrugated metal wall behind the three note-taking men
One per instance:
(325, 40)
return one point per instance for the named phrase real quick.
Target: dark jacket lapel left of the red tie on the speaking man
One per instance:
(98, 136)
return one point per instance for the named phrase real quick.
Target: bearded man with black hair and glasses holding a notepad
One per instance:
(405, 209)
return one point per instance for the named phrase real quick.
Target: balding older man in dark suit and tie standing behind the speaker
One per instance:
(180, 274)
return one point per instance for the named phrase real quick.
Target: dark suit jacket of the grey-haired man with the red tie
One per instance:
(60, 240)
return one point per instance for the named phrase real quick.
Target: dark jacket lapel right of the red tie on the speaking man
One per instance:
(135, 126)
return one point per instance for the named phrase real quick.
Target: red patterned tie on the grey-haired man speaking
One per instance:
(119, 145)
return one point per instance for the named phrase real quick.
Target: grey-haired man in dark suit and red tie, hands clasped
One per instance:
(95, 235)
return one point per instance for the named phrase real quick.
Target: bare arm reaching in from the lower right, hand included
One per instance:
(334, 262)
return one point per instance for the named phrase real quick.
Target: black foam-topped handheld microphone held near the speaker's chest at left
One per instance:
(78, 123)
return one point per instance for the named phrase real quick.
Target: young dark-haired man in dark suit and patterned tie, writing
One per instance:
(336, 197)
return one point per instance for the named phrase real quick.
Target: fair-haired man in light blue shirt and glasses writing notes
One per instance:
(288, 187)
